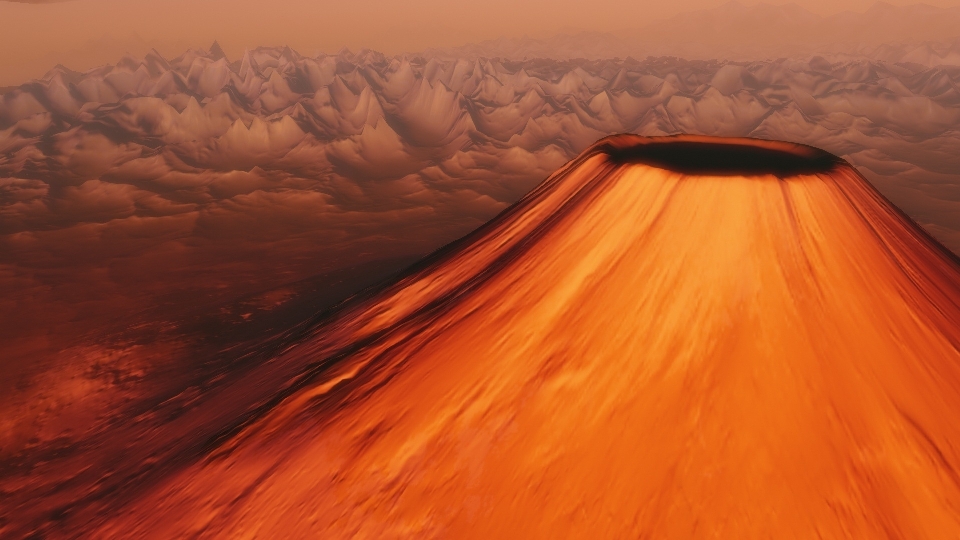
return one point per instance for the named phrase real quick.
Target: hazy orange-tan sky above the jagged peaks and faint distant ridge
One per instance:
(84, 33)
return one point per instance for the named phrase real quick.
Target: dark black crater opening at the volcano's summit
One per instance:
(726, 159)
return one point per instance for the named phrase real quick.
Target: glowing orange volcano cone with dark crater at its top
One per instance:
(675, 337)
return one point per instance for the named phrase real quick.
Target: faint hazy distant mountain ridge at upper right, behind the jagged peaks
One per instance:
(921, 34)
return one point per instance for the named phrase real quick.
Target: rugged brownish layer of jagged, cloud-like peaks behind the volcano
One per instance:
(457, 137)
